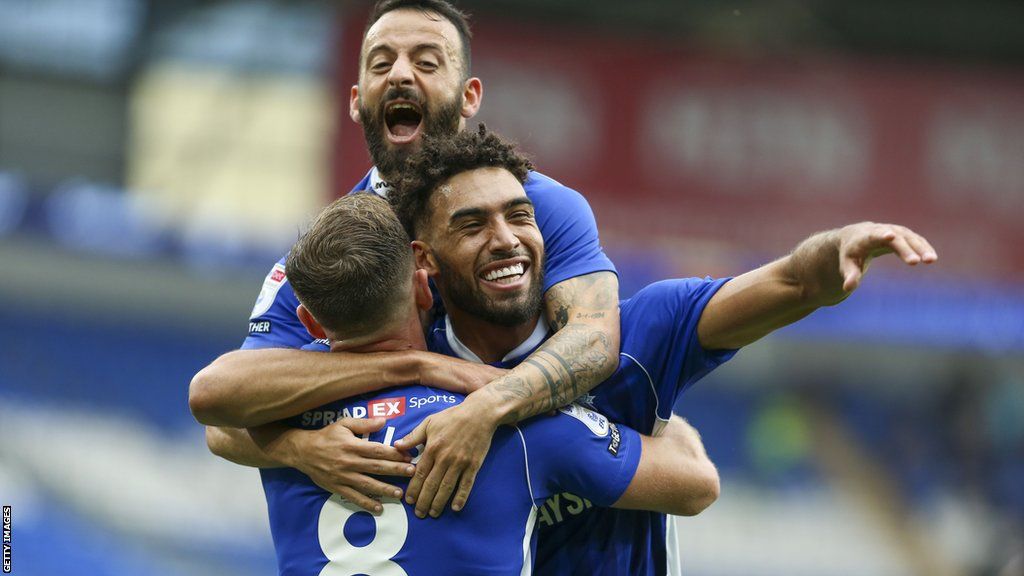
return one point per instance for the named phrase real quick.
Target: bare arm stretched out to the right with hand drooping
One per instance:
(823, 271)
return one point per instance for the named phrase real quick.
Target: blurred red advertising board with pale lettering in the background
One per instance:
(678, 148)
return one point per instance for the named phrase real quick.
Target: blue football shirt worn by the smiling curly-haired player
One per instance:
(660, 358)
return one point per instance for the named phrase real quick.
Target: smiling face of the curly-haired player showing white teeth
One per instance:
(482, 245)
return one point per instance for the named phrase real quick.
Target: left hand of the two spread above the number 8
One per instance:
(338, 461)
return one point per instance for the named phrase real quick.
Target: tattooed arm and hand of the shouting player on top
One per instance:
(582, 354)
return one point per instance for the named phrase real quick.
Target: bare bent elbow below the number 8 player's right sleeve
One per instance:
(675, 475)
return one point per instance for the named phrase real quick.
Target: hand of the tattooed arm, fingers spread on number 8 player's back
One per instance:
(457, 442)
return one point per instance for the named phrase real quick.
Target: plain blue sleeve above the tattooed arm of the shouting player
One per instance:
(567, 222)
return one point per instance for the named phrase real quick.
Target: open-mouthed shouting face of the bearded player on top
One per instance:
(412, 84)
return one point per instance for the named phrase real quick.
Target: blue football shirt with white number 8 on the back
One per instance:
(317, 533)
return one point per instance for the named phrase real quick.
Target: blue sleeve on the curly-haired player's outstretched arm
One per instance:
(660, 334)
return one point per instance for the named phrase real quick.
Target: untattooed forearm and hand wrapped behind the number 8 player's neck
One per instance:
(251, 388)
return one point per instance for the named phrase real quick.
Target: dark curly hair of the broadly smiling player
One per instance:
(445, 157)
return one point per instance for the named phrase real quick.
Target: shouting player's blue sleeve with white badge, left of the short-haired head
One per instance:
(274, 322)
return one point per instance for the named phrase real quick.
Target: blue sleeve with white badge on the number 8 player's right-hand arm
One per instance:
(580, 451)
